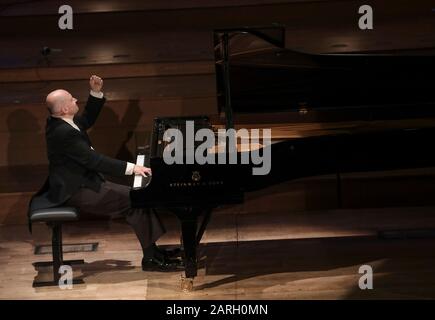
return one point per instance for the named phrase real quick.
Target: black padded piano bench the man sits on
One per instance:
(54, 217)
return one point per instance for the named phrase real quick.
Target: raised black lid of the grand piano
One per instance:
(261, 75)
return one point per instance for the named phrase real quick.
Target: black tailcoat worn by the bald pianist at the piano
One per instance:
(72, 162)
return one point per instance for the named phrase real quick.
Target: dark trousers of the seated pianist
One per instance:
(114, 200)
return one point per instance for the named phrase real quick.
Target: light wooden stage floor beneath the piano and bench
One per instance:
(299, 255)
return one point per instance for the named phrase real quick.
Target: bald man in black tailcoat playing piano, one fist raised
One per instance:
(76, 174)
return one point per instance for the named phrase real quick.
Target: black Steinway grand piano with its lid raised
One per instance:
(328, 114)
